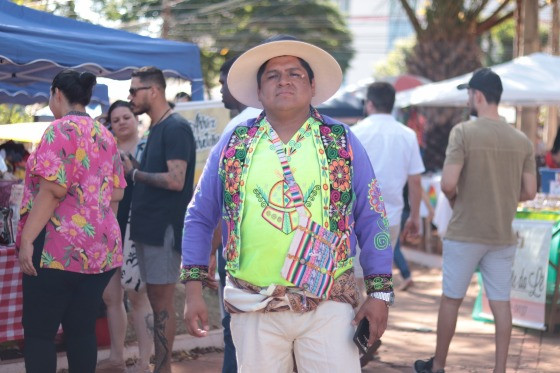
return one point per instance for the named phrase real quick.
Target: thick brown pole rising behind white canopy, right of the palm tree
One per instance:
(529, 43)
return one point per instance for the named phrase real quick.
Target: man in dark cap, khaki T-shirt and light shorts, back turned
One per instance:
(489, 168)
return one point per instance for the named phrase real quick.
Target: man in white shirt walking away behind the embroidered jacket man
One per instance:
(395, 156)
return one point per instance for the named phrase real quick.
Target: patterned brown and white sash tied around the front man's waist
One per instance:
(241, 296)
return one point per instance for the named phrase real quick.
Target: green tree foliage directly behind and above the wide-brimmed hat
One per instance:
(226, 28)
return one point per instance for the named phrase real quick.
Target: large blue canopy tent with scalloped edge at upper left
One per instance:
(35, 46)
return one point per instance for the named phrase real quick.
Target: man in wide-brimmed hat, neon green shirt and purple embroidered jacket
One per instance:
(295, 192)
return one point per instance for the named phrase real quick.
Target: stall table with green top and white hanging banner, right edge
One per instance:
(535, 280)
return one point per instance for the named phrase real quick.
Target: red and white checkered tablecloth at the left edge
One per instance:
(11, 295)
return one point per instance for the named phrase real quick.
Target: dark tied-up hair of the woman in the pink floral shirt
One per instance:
(76, 86)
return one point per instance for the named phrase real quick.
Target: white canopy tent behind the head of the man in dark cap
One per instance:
(532, 80)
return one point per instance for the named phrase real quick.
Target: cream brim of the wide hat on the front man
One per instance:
(242, 77)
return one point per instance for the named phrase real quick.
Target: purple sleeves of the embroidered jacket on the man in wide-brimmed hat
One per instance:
(367, 216)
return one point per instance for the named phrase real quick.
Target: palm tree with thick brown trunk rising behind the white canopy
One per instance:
(446, 46)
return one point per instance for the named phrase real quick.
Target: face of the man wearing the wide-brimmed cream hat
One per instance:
(285, 85)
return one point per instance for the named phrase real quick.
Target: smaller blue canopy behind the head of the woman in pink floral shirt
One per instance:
(39, 92)
